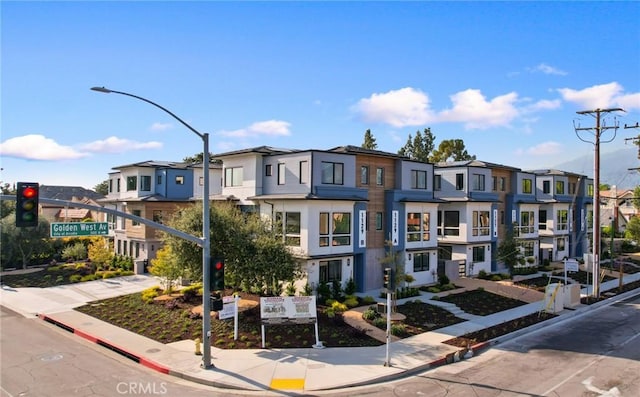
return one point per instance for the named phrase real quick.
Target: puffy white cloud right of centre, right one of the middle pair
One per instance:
(472, 108)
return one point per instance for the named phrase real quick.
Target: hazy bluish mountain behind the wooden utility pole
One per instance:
(614, 168)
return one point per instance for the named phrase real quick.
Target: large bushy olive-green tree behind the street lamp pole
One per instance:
(256, 259)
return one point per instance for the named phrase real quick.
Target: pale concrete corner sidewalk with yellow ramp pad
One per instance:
(295, 370)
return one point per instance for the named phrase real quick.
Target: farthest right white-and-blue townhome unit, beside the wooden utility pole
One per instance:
(565, 215)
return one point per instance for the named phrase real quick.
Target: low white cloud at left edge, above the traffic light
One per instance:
(38, 147)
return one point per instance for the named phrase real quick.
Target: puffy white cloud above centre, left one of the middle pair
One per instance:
(399, 108)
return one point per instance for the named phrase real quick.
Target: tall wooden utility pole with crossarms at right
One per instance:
(597, 134)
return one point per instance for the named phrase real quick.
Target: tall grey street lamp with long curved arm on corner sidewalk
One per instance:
(206, 233)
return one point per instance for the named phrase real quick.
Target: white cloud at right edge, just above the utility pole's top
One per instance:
(599, 96)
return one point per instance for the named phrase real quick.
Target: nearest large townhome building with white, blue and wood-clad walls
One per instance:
(337, 208)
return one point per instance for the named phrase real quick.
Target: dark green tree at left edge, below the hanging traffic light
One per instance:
(23, 244)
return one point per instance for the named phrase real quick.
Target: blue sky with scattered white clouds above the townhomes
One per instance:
(505, 77)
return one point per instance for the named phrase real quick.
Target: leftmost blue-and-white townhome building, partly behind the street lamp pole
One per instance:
(152, 190)
